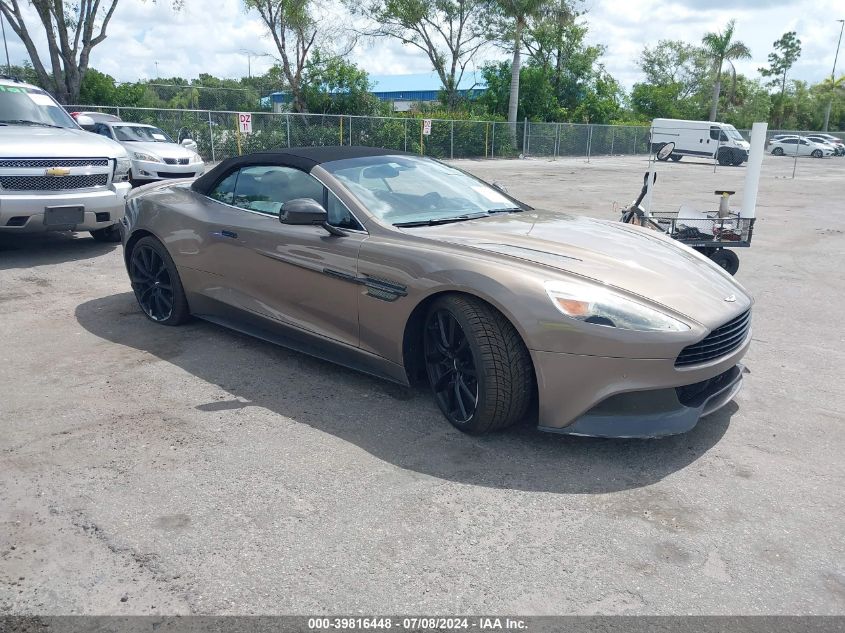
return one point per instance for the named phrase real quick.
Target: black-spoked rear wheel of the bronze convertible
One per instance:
(156, 283)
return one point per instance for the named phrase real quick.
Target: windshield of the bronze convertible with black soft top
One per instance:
(410, 190)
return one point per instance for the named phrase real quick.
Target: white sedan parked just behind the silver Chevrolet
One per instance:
(154, 155)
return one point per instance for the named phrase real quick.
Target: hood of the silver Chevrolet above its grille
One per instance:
(30, 141)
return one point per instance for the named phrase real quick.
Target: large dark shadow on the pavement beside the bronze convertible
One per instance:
(399, 425)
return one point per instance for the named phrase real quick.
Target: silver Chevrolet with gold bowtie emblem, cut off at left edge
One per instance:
(54, 175)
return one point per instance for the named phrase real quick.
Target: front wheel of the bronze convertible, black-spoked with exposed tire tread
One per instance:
(478, 367)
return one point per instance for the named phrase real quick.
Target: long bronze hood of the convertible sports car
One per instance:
(638, 261)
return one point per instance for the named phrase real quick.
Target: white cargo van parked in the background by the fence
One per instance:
(704, 139)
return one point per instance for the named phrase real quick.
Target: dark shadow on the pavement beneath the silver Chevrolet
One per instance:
(28, 250)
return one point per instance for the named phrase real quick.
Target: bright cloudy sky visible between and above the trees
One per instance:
(148, 39)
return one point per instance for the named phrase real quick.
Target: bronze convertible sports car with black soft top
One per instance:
(409, 269)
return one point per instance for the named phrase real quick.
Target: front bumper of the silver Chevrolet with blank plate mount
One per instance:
(24, 213)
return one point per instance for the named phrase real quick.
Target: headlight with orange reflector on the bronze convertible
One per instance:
(602, 306)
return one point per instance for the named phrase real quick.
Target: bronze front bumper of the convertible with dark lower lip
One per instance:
(622, 397)
